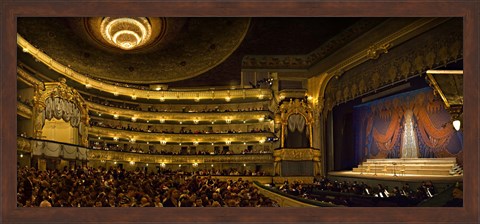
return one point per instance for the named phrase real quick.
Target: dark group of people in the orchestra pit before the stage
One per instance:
(398, 195)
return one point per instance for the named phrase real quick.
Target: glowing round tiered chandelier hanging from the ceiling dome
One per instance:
(126, 33)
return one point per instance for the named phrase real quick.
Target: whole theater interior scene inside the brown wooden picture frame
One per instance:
(239, 112)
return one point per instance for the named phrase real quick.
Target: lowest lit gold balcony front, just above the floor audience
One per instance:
(149, 158)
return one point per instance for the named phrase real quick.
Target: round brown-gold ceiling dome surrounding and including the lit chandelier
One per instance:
(140, 50)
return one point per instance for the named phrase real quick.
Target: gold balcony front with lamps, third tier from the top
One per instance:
(146, 136)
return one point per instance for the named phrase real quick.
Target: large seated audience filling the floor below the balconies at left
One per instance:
(116, 187)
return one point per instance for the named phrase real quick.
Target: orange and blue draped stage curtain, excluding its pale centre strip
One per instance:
(379, 126)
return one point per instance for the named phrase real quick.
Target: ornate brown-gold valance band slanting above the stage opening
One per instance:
(413, 62)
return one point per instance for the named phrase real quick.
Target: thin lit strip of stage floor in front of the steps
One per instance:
(391, 177)
